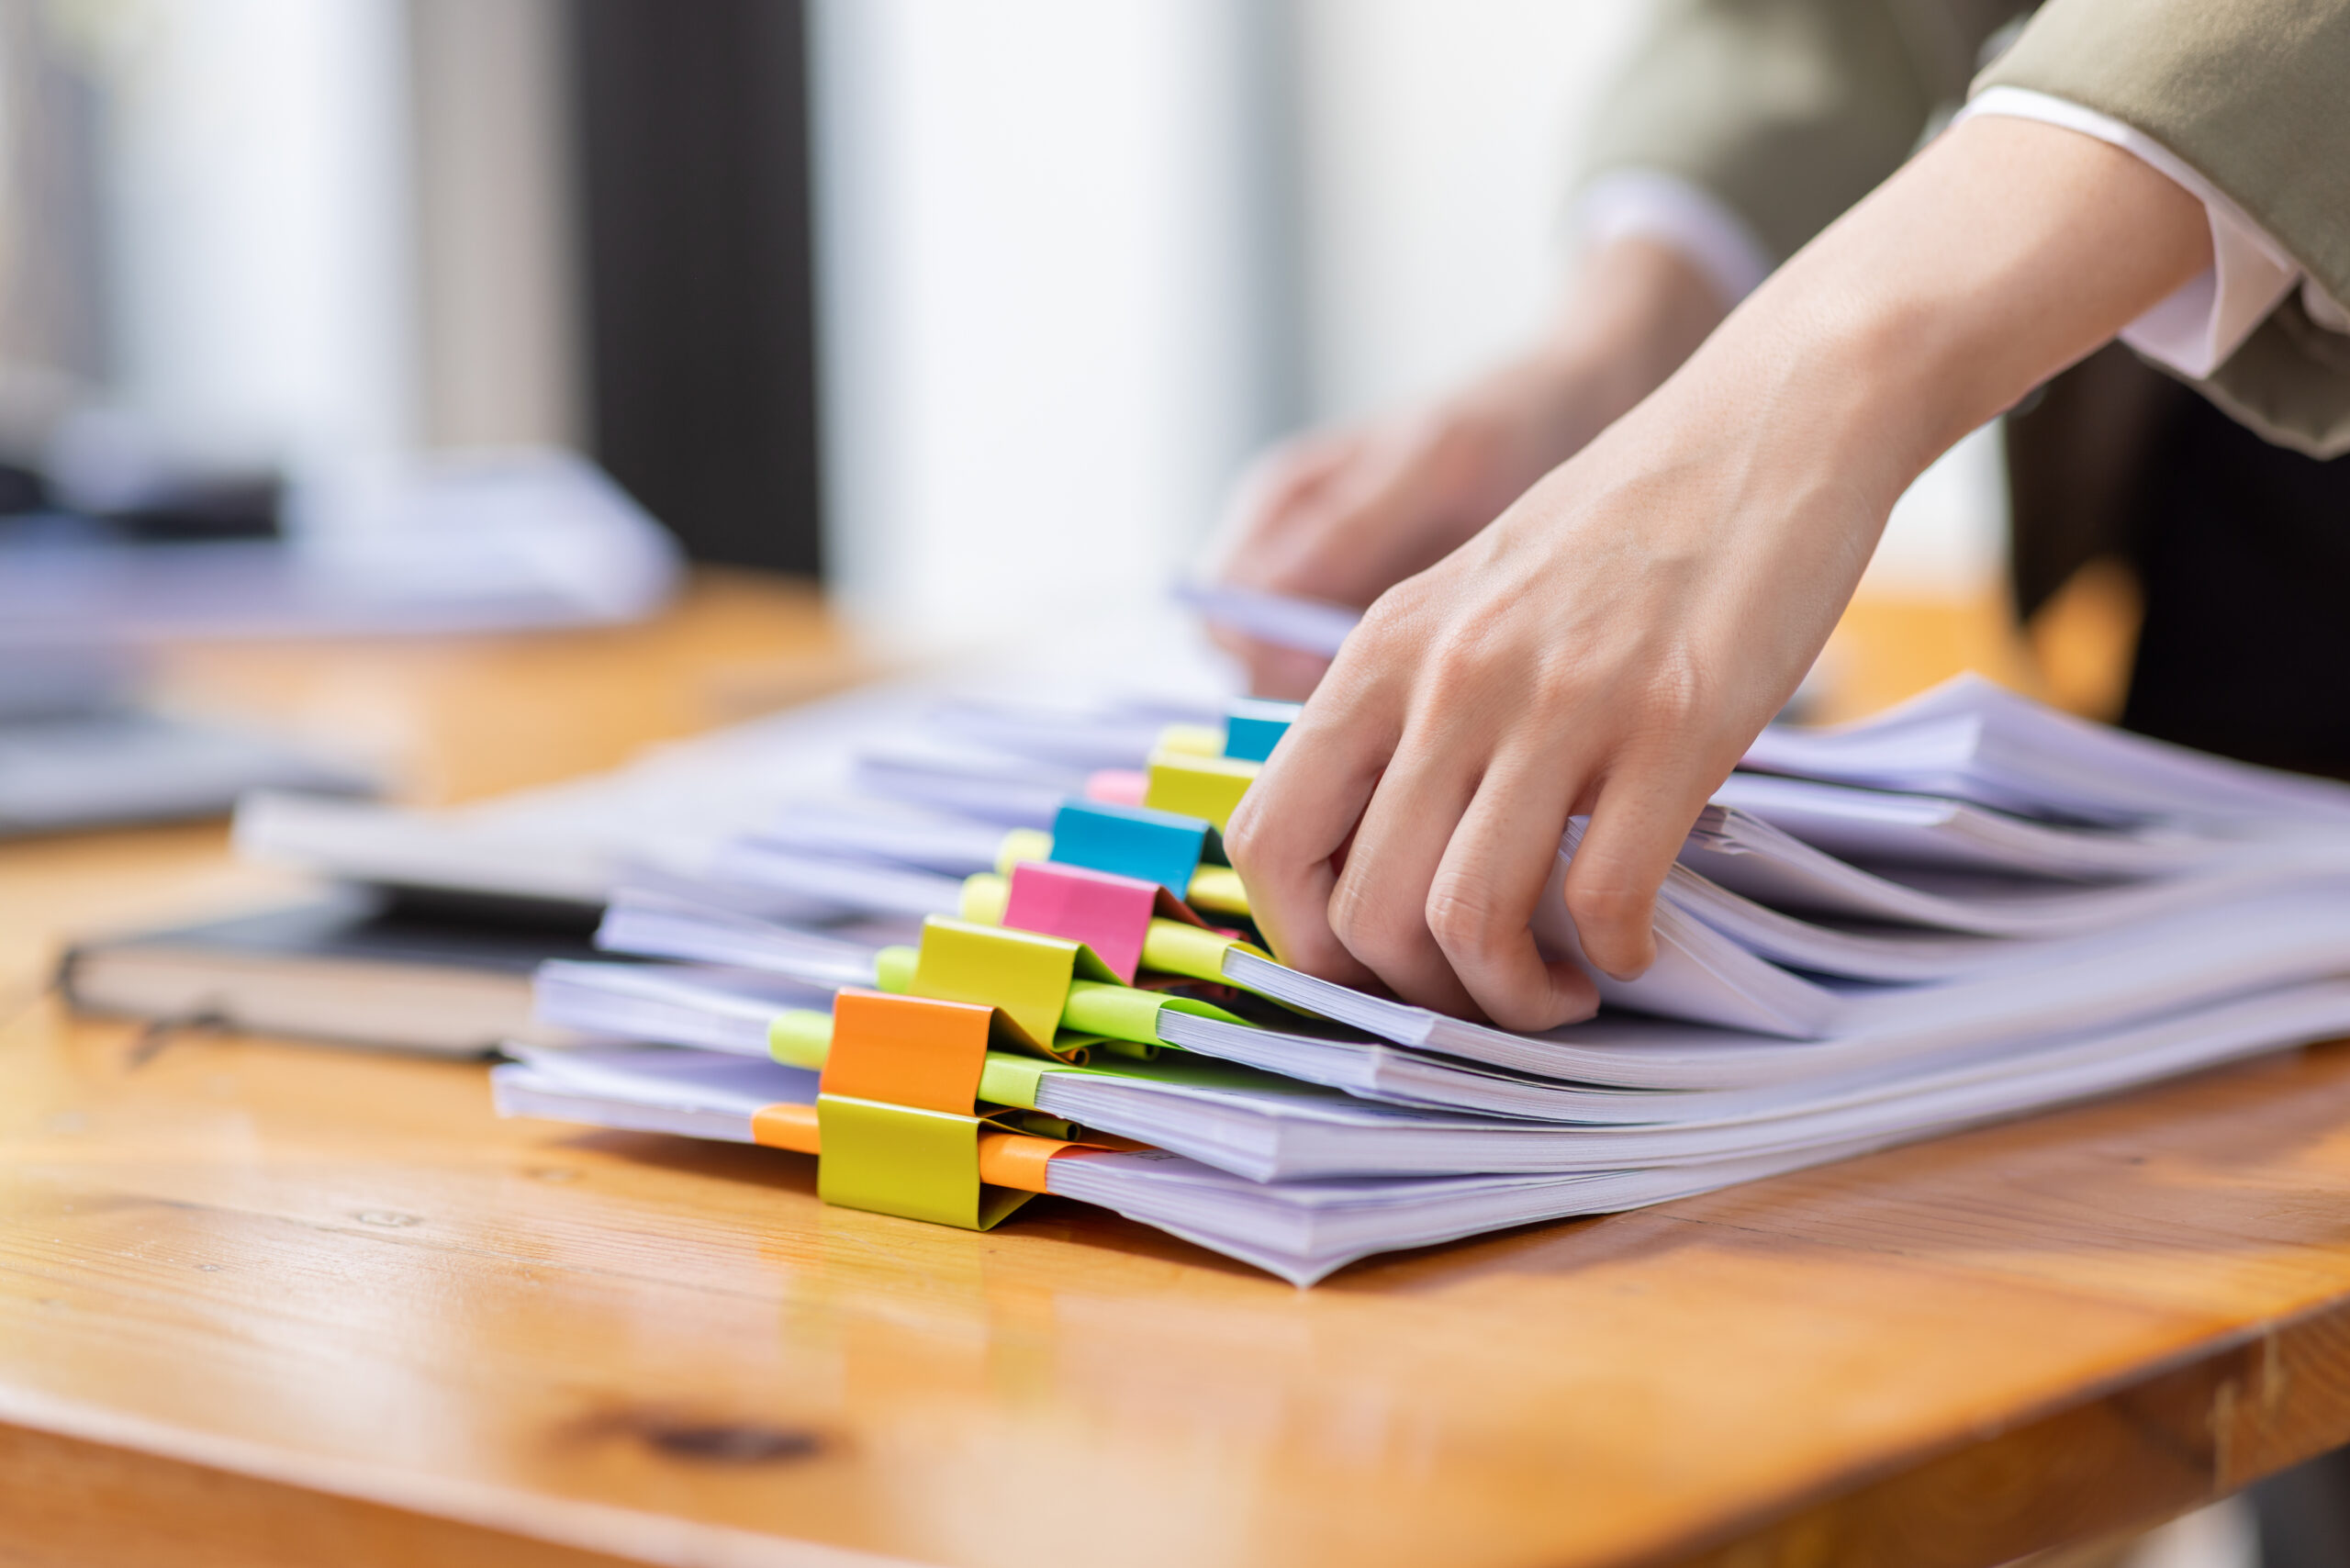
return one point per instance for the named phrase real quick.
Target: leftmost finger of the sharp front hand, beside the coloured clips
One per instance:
(1296, 819)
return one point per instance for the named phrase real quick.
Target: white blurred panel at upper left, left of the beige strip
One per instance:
(260, 229)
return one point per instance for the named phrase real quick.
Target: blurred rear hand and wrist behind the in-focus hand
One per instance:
(1343, 516)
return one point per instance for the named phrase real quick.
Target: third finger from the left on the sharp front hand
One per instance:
(1482, 904)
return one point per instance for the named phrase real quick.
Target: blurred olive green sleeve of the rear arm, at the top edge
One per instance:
(1787, 112)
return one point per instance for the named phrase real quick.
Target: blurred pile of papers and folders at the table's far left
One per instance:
(98, 575)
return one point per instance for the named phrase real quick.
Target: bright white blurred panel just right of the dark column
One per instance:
(1040, 279)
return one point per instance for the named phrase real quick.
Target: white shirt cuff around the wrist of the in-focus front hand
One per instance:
(2210, 316)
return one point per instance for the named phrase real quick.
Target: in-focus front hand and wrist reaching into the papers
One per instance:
(1618, 638)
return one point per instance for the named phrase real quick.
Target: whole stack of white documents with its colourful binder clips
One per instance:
(1000, 953)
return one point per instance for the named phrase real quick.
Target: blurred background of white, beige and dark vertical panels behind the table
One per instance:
(972, 309)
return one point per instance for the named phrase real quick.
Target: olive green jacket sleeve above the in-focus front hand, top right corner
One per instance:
(2255, 95)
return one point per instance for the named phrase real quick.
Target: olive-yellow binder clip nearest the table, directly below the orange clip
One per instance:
(918, 1165)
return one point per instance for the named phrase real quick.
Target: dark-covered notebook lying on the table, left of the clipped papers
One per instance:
(356, 967)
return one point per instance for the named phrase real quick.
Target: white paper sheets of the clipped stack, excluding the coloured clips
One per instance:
(1961, 911)
